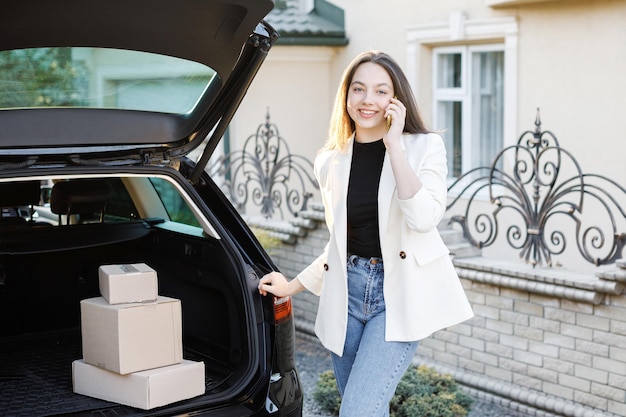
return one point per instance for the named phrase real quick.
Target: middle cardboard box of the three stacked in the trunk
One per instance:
(132, 337)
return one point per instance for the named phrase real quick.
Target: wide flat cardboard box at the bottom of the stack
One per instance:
(145, 389)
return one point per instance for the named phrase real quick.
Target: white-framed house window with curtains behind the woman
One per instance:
(469, 104)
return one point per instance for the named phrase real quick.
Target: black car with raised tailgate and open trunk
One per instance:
(101, 105)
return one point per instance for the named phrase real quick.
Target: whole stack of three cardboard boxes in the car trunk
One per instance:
(132, 343)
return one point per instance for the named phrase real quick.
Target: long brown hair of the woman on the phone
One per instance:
(342, 126)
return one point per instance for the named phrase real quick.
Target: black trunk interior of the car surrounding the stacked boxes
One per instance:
(40, 291)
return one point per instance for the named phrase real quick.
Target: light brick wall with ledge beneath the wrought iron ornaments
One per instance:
(547, 341)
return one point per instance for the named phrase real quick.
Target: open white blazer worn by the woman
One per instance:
(422, 291)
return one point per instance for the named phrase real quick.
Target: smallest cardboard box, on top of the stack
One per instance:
(129, 283)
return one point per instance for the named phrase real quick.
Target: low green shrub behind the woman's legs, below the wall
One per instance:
(421, 392)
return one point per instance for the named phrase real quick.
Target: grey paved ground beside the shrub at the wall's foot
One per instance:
(312, 359)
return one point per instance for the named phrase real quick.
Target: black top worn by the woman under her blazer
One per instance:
(367, 164)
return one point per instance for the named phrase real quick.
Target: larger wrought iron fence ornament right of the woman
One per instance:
(531, 182)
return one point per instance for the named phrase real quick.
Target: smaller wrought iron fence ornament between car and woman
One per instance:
(264, 174)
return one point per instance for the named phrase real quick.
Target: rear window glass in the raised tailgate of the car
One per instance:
(100, 78)
